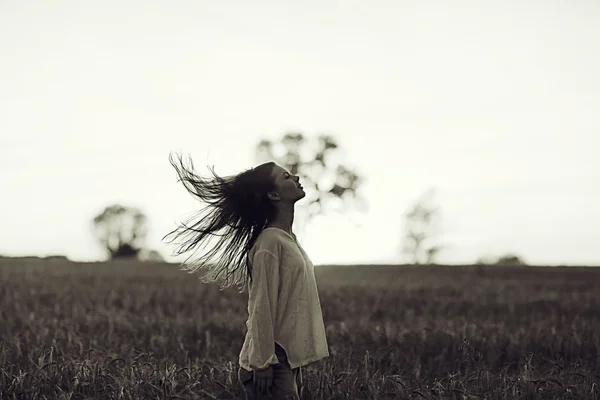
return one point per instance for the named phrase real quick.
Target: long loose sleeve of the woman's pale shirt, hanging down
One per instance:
(262, 307)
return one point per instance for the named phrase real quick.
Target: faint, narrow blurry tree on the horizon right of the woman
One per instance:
(421, 223)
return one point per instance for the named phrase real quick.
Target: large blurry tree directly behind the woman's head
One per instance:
(325, 180)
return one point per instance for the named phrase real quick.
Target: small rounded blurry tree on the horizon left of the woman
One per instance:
(121, 231)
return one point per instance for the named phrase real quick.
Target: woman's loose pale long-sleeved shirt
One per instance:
(283, 304)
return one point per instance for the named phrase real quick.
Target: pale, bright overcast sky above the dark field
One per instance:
(493, 104)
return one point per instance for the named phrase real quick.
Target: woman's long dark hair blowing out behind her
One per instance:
(237, 211)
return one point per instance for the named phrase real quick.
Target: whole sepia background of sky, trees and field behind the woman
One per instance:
(448, 150)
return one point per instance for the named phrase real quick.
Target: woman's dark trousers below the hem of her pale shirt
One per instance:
(287, 382)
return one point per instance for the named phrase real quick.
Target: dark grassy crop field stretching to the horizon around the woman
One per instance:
(125, 330)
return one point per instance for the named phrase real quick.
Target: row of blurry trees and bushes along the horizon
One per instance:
(330, 184)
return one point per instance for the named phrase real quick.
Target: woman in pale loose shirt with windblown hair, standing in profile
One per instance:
(251, 215)
